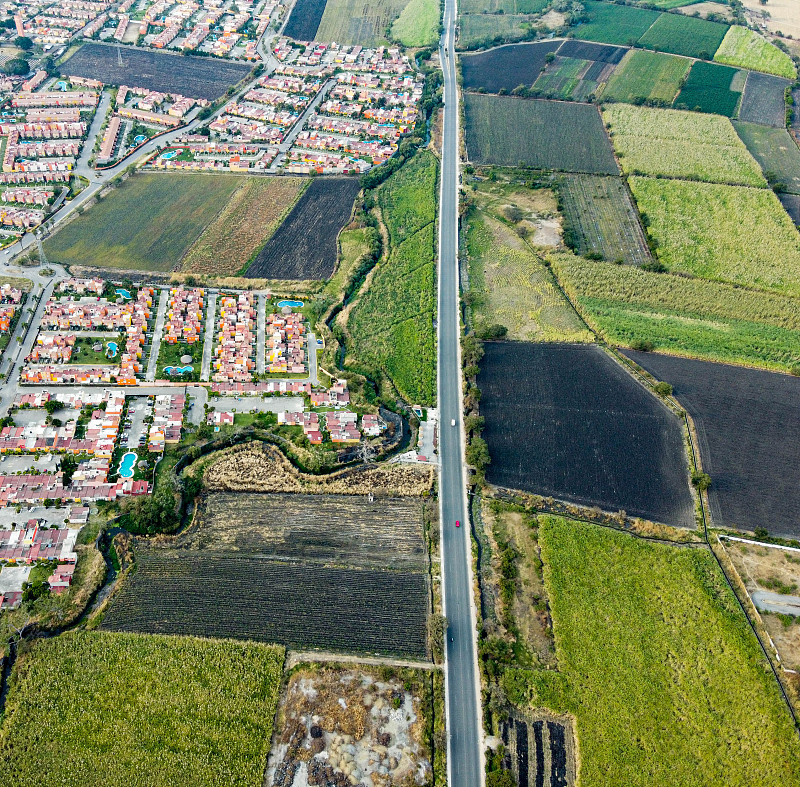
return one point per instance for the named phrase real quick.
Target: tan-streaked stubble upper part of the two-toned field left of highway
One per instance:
(334, 529)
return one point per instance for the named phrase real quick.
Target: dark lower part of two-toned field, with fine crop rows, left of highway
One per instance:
(296, 604)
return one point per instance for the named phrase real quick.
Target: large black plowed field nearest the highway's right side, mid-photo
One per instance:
(566, 421)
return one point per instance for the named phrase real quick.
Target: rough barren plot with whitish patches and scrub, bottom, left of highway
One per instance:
(351, 726)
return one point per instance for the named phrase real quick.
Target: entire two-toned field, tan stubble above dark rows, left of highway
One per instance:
(323, 571)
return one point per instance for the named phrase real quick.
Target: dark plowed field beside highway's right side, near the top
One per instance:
(506, 66)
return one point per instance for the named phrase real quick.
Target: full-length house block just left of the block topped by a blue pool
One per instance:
(233, 351)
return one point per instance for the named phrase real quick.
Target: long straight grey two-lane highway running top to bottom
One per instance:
(464, 754)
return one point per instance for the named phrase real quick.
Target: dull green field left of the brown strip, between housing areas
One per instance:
(147, 223)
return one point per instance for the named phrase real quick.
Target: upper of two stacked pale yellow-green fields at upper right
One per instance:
(675, 144)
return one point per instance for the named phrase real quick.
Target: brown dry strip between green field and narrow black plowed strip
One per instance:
(243, 225)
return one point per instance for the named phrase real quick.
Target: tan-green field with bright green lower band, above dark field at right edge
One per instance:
(683, 316)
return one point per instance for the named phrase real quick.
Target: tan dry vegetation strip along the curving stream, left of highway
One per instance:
(258, 467)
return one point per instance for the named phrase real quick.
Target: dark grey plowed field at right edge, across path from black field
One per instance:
(748, 425)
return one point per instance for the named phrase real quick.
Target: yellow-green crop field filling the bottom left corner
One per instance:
(90, 708)
